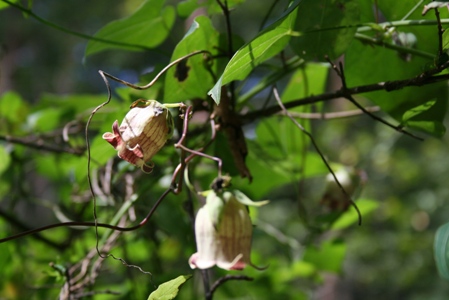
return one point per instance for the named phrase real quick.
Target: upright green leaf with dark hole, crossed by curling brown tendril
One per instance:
(191, 78)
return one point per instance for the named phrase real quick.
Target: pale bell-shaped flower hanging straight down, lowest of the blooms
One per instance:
(223, 231)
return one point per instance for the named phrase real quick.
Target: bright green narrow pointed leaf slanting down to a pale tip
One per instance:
(265, 45)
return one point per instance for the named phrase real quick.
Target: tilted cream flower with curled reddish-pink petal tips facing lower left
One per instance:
(143, 132)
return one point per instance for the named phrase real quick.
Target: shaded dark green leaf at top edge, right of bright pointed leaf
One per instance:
(322, 24)
